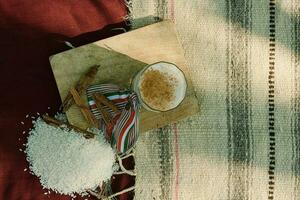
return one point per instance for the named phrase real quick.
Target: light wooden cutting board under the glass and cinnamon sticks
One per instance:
(121, 57)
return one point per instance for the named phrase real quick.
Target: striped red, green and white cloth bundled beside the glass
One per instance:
(122, 130)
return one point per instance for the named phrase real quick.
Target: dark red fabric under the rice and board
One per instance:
(31, 31)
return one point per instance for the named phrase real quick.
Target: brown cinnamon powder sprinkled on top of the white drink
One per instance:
(157, 89)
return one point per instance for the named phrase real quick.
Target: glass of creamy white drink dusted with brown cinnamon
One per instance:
(161, 86)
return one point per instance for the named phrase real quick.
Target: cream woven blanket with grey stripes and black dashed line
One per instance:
(244, 59)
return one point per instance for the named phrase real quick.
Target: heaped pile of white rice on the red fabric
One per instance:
(65, 161)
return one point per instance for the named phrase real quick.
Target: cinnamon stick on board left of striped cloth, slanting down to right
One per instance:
(83, 108)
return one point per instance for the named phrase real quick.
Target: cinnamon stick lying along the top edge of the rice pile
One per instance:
(54, 122)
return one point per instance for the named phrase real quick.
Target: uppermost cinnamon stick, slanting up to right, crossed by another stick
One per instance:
(82, 84)
